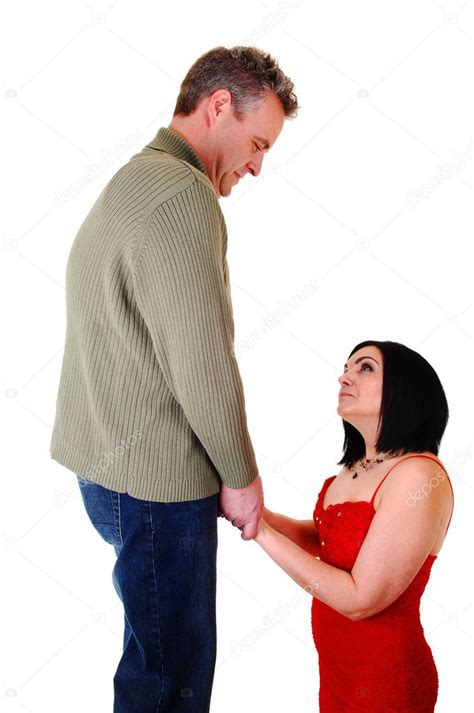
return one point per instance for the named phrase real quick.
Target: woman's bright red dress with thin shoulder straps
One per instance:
(381, 663)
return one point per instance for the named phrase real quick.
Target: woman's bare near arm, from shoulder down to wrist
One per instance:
(400, 537)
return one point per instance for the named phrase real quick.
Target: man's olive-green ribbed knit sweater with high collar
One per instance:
(150, 399)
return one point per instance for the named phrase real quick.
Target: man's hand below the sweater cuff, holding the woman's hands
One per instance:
(243, 507)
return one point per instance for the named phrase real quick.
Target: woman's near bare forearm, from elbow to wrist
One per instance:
(331, 585)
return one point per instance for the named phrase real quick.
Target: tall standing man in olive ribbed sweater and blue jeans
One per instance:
(150, 412)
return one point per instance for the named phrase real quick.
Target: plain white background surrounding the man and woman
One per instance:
(365, 193)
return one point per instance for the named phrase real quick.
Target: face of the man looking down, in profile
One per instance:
(240, 145)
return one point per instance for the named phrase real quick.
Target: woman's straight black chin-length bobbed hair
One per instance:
(414, 410)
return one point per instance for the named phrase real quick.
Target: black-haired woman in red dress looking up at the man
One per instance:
(377, 528)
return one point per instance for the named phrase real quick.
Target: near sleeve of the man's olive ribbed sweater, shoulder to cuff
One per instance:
(182, 294)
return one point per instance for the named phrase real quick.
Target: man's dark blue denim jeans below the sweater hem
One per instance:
(165, 575)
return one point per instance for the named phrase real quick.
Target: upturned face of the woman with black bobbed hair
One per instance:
(360, 395)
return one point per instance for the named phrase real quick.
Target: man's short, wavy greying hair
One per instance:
(246, 72)
